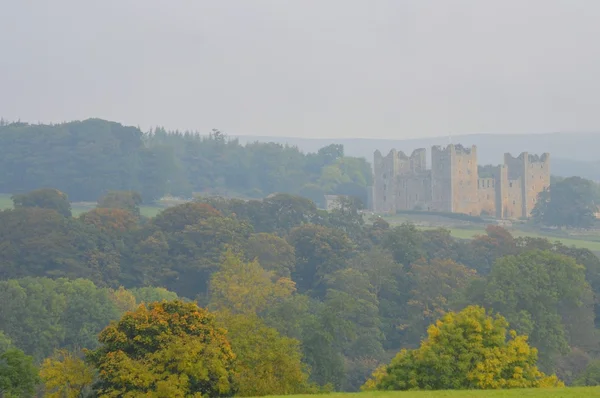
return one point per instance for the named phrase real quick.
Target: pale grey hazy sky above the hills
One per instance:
(343, 68)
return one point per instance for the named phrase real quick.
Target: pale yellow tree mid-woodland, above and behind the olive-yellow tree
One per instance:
(245, 287)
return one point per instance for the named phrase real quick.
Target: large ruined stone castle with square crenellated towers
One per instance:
(457, 184)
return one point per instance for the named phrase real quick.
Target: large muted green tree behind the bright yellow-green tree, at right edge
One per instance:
(544, 295)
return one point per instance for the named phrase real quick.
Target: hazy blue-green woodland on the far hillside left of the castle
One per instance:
(89, 158)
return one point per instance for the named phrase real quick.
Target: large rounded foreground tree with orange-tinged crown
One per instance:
(172, 349)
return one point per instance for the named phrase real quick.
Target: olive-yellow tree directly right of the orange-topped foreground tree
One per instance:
(267, 363)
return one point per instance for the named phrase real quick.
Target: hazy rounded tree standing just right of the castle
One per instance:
(567, 203)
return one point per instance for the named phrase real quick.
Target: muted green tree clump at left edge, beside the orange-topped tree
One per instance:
(41, 314)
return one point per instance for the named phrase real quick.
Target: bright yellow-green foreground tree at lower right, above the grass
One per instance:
(466, 350)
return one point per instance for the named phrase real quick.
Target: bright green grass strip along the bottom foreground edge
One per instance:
(579, 392)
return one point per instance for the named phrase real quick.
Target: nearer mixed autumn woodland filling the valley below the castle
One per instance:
(337, 301)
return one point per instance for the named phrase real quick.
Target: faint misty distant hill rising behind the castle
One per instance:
(571, 153)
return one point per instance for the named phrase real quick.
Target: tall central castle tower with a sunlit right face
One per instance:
(454, 179)
